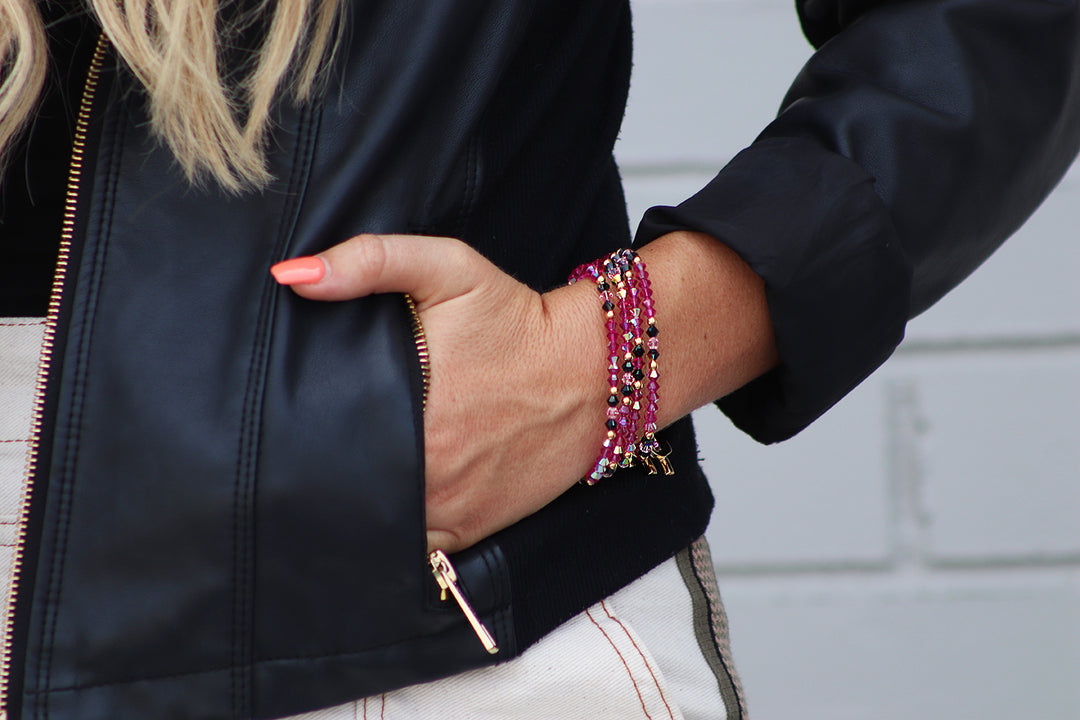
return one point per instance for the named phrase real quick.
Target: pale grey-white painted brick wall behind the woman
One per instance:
(916, 553)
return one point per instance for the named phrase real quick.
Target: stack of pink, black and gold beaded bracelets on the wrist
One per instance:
(623, 283)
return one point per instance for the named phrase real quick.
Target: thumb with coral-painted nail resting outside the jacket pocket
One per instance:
(430, 269)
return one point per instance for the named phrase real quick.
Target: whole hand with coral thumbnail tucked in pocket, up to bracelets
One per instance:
(516, 409)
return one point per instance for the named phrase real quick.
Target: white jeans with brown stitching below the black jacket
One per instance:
(657, 649)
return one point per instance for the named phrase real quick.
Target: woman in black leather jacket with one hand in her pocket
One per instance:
(234, 487)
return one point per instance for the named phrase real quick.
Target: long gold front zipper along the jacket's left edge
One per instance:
(52, 319)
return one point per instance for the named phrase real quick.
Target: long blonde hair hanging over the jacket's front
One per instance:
(215, 124)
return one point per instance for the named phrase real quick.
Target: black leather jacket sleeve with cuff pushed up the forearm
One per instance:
(919, 138)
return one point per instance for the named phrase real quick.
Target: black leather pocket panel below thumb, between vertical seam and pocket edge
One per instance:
(339, 527)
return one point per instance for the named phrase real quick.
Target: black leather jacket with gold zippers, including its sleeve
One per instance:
(228, 511)
